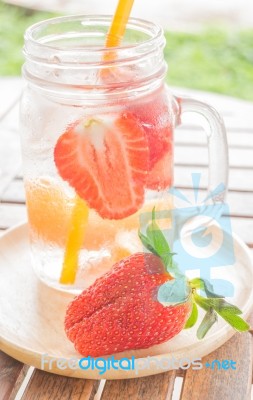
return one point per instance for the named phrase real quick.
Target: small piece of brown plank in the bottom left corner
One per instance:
(12, 374)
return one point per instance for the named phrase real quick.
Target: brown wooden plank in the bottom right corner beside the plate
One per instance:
(212, 384)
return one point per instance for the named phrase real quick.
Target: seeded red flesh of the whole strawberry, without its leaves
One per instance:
(120, 311)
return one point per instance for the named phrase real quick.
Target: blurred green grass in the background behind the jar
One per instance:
(218, 60)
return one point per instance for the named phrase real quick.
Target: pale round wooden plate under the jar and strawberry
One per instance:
(32, 315)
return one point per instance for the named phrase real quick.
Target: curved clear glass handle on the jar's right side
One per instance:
(217, 146)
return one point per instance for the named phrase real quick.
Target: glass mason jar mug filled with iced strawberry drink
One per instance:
(97, 140)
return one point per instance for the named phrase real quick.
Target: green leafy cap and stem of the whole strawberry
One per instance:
(178, 290)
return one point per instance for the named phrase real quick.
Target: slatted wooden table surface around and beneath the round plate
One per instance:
(26, 383)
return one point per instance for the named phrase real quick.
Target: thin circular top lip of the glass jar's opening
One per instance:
(154, 31)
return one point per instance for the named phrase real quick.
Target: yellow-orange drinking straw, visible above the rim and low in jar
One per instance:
(80, 212)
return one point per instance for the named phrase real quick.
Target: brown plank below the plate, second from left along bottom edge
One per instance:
(45, 386)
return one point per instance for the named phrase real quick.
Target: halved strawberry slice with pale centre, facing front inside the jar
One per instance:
(106, 161)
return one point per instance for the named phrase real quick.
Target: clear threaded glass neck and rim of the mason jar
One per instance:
(70, 52)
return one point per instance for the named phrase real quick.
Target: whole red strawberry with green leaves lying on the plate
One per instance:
(139, 304)
